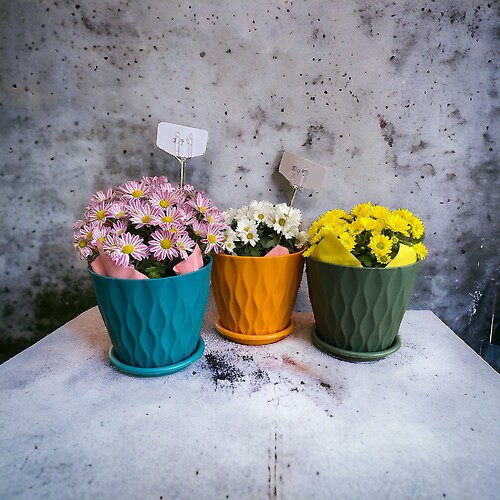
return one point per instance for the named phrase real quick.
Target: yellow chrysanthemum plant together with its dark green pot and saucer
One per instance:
(361, 268)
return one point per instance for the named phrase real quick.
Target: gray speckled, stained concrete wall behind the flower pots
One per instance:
(398, 99)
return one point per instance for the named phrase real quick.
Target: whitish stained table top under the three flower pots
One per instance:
(278, 421)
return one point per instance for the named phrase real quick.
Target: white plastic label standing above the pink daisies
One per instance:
(181, 141)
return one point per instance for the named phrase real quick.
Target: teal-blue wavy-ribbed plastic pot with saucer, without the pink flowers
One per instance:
(154, 324)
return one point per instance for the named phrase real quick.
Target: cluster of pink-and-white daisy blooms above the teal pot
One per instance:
(149, 224)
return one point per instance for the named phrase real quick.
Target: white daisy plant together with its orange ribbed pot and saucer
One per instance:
(256, 278)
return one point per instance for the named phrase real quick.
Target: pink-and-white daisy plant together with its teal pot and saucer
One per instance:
(149, 245)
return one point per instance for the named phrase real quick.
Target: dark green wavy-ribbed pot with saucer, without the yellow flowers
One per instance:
(358, 311)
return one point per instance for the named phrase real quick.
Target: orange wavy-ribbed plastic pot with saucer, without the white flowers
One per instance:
(255, 296)
